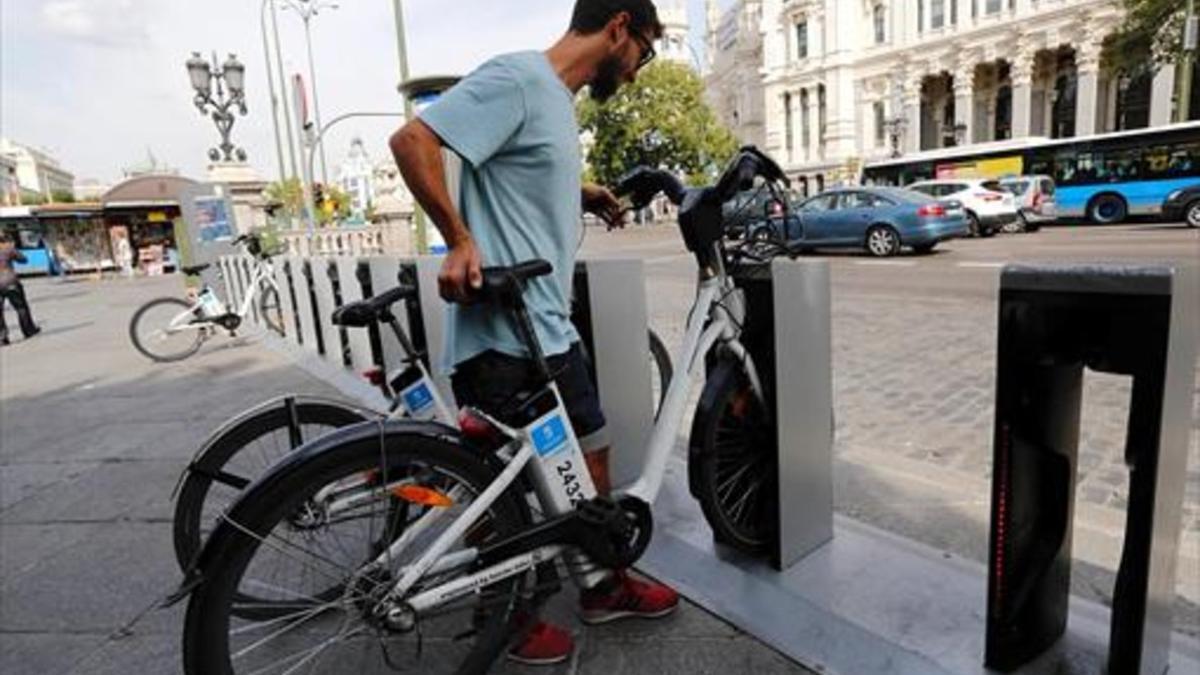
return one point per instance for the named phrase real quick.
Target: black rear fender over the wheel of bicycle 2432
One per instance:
(225, 534)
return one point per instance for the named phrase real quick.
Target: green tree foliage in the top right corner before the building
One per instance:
(1153, 34)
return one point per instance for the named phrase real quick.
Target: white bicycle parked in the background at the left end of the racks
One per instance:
(172, 330)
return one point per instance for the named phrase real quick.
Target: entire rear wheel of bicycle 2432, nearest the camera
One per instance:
(285, 552)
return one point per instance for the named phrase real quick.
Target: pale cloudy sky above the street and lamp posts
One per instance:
(103, 83)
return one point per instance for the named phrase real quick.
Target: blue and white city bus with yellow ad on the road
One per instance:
(1103, 178)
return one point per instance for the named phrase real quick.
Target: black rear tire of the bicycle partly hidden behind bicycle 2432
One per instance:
(212, 465)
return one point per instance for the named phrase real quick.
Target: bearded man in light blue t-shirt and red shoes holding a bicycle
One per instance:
(513, 122)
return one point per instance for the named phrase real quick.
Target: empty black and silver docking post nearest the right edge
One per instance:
(1054, 322)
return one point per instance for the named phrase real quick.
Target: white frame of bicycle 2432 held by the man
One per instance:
(717, 315)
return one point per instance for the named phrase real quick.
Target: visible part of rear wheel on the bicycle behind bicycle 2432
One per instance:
(238, 456)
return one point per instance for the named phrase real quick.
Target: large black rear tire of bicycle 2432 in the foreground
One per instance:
(209, 624)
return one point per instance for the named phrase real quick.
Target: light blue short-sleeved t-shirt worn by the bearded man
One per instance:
(513, 122)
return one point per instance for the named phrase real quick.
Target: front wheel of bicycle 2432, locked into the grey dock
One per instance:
(733, 464)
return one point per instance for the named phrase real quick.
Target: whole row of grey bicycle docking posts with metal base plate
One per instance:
(841, 596)
